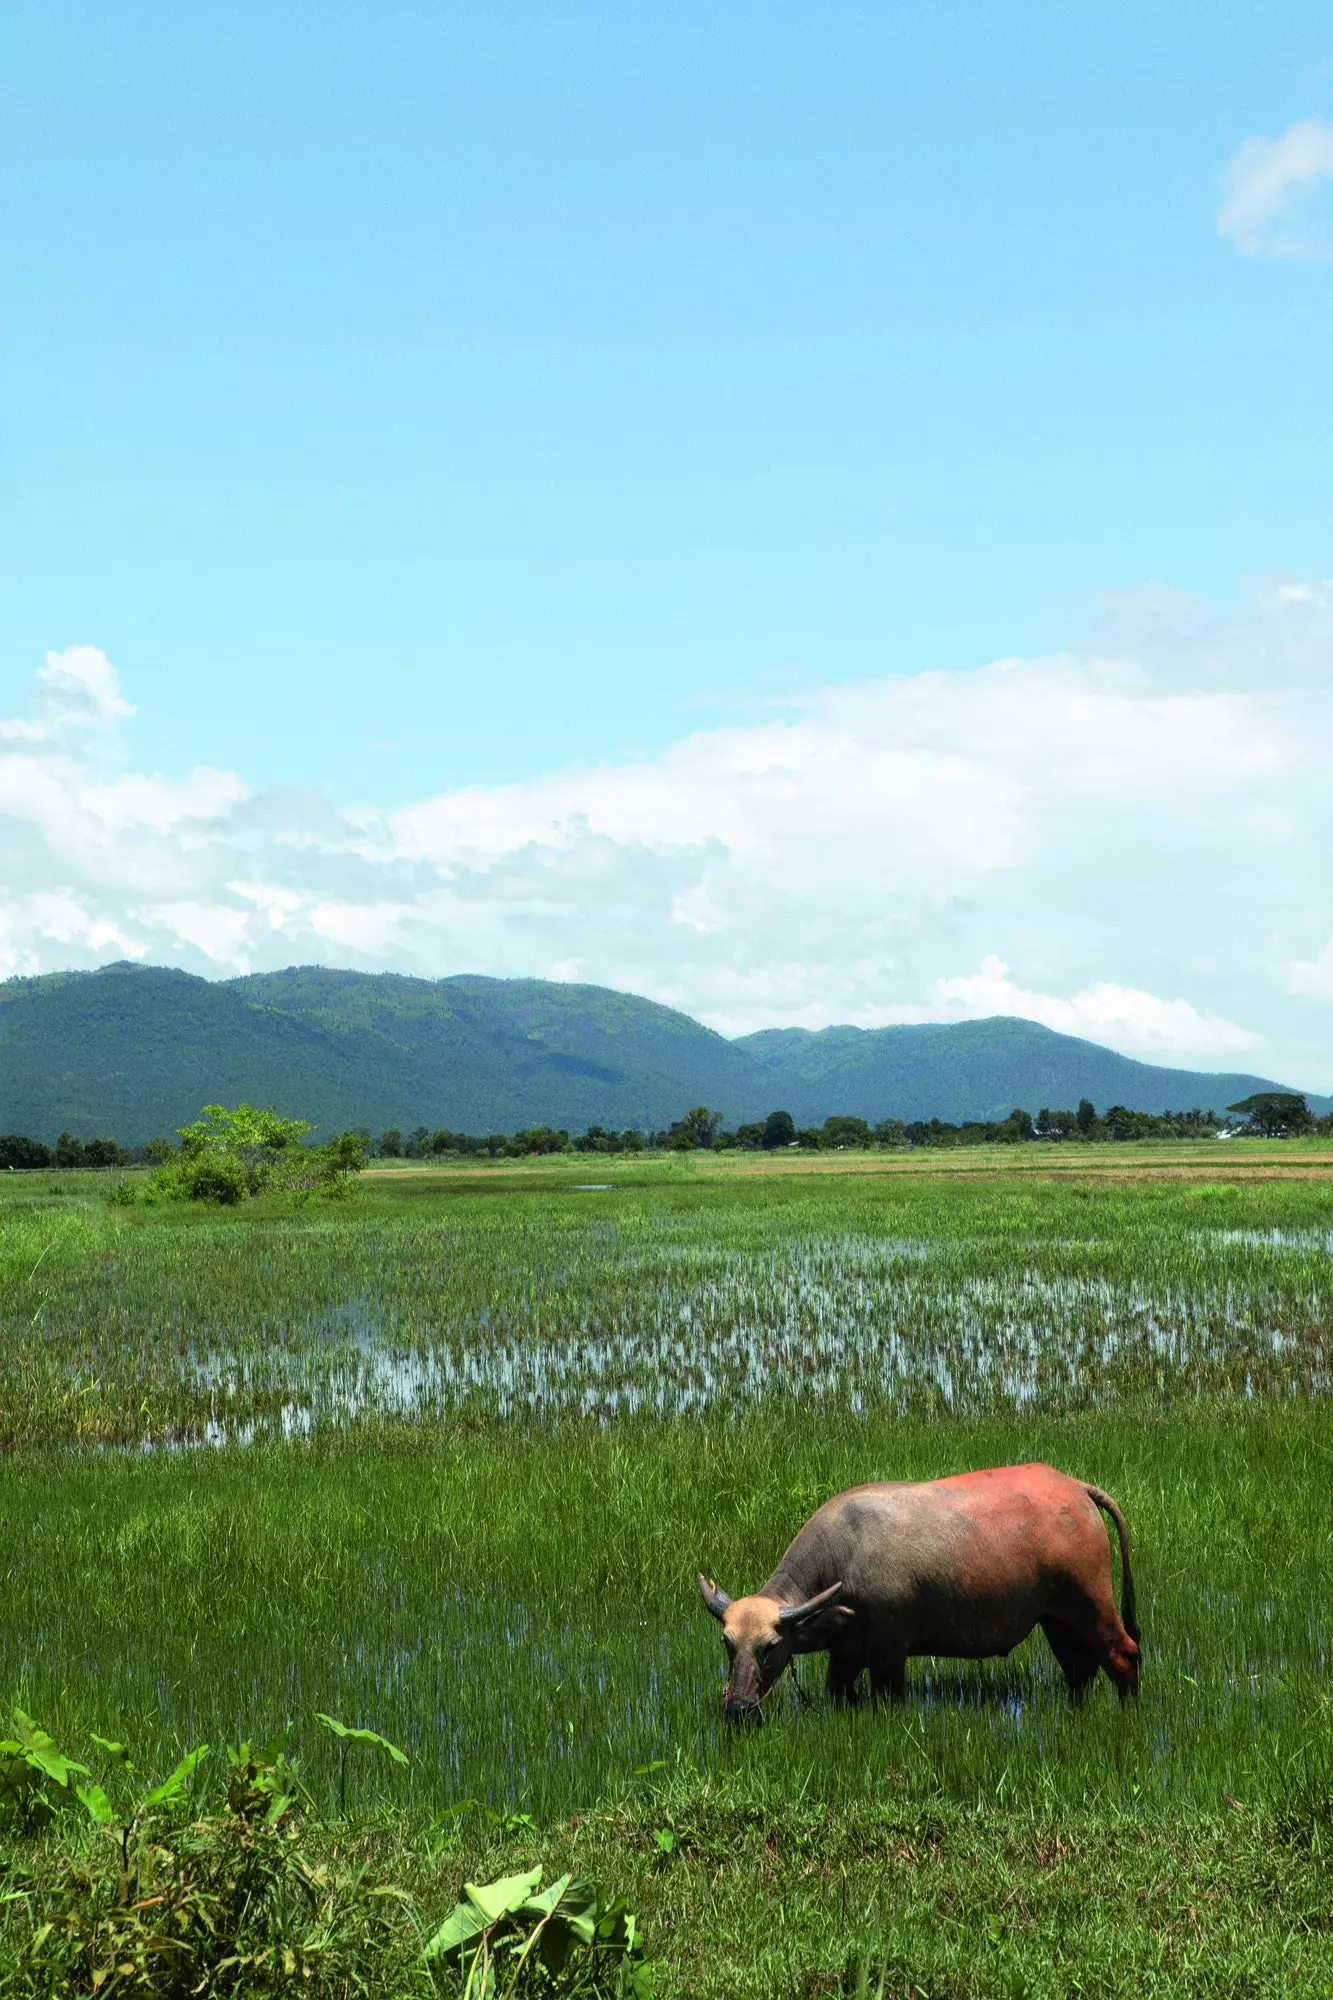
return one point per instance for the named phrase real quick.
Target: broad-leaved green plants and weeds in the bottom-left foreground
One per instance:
(233, 1905)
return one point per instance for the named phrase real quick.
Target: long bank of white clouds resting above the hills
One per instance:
(1140, 829)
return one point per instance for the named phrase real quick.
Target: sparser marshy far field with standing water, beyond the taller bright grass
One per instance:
(285, 1329)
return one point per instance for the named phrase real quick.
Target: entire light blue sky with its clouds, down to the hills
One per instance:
(435, 411)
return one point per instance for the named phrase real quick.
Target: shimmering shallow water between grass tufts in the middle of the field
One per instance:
(676, 1331)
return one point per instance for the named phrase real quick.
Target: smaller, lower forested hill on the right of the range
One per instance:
(978, 1069)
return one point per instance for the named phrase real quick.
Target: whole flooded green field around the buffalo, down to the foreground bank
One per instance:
(485, 1447)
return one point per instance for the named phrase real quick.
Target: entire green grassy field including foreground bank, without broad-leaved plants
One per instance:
(443, 1461)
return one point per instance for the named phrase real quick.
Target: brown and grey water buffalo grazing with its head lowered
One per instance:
(962, 1567)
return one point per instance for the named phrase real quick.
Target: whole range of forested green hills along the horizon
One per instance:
(135, 1051)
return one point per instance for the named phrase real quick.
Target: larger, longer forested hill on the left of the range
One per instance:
(135, 1051)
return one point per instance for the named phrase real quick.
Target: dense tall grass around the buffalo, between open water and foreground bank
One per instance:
(519, 1609)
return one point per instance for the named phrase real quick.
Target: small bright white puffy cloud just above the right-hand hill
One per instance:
(1104, 1013)
